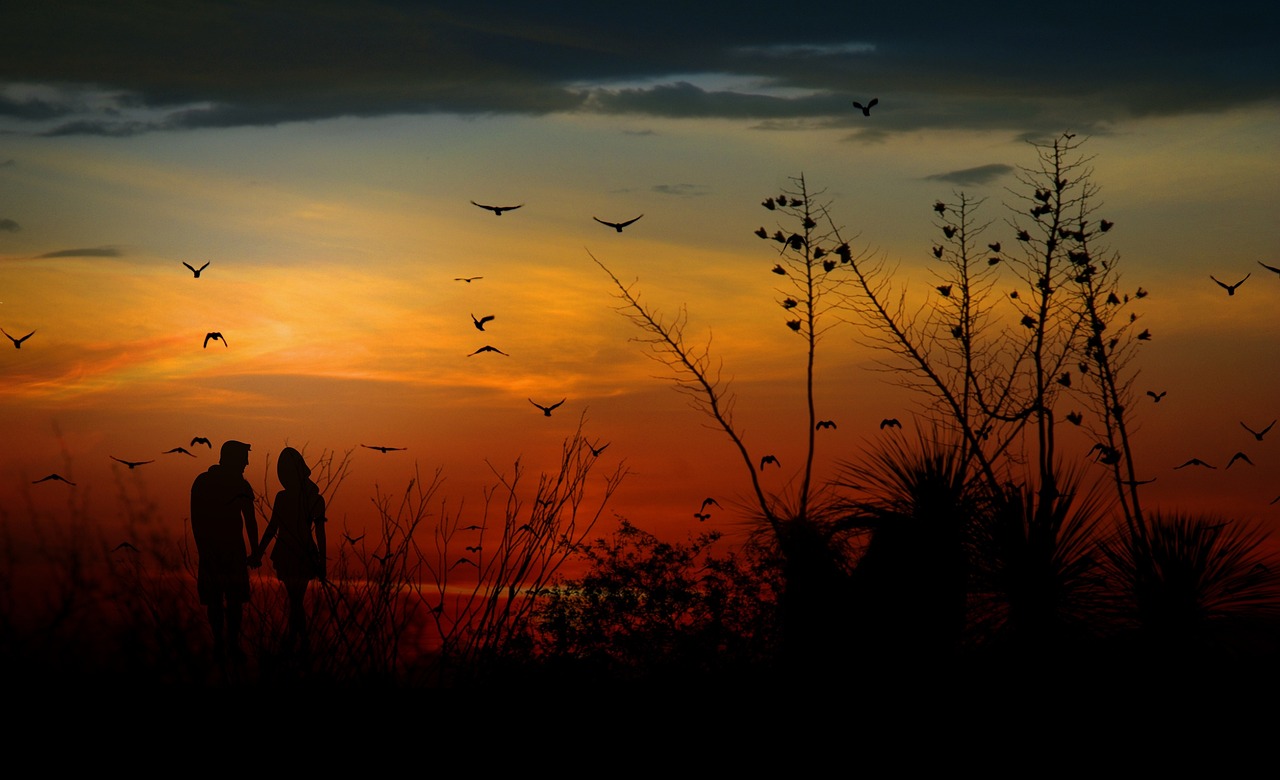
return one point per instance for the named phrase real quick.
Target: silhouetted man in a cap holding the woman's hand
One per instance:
(222, 512)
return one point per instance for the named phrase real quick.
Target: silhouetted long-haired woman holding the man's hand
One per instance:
(298, 526)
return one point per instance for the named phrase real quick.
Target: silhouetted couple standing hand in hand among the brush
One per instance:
(222, 514)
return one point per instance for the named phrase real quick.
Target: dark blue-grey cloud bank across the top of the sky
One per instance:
(205, 63)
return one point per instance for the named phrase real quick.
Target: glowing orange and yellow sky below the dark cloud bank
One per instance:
(335, 245)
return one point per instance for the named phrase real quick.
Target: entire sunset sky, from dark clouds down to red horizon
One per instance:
(323, 159)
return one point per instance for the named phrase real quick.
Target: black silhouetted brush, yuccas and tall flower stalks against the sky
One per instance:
(975, 540)
